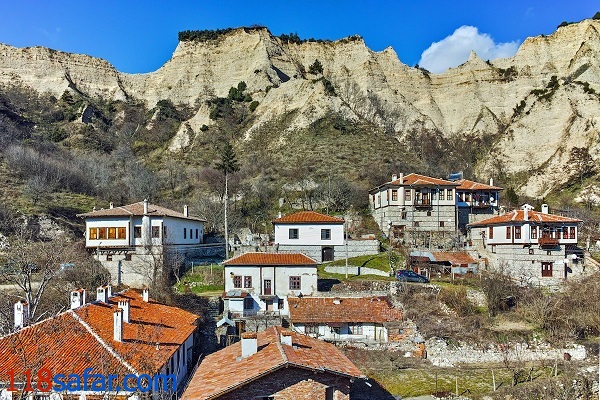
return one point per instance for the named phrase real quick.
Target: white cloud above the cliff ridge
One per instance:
(456, 48)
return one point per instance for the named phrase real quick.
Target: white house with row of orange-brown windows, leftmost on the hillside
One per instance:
(131, 240)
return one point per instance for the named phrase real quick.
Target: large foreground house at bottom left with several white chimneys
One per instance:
(127, 336)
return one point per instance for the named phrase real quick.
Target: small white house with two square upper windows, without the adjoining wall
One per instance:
(314, 234)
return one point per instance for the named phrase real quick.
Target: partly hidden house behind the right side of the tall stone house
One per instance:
(475, 202)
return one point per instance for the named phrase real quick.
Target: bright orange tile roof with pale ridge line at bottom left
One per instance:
(83, 338)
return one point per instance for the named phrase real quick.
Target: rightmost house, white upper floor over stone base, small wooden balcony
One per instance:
(532, 247)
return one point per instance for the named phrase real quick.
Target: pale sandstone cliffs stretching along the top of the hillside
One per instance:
(522, 116)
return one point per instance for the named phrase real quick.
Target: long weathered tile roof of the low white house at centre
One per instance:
(349, 309)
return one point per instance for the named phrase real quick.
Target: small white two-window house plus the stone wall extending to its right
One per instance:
(320, 237)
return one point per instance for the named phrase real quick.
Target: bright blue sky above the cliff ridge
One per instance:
(139, 36)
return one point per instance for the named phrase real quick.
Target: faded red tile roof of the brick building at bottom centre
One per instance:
(225, 370)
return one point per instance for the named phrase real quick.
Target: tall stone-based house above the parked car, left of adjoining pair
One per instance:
(420, 209)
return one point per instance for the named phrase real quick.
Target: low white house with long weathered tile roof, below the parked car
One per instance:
(361, 319)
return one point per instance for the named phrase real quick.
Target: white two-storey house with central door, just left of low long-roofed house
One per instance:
(261, 282)
